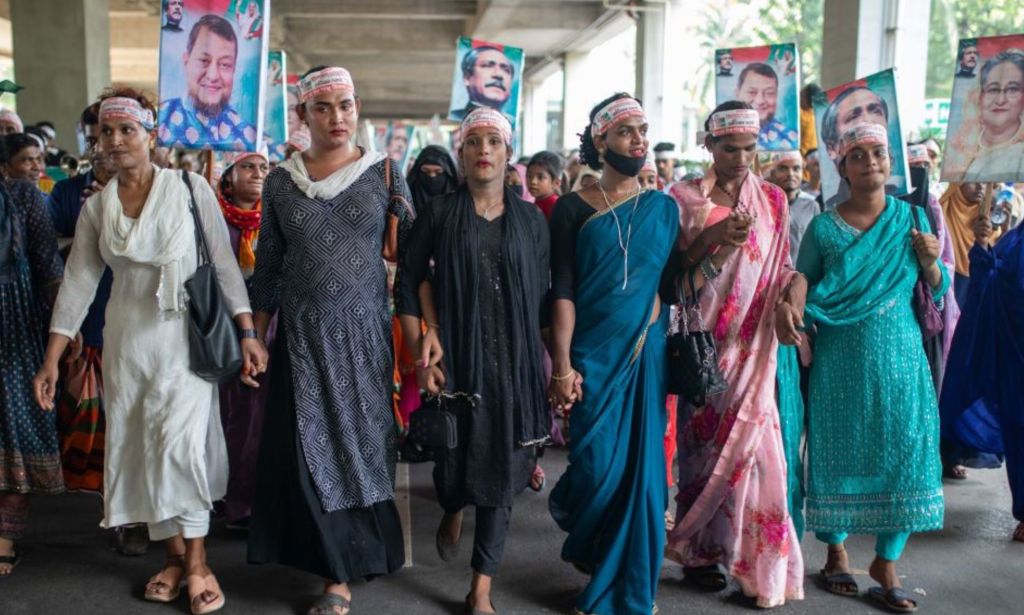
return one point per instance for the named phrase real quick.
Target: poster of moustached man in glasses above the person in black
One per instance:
(486, 75)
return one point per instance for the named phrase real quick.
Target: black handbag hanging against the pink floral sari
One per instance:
(694, 372)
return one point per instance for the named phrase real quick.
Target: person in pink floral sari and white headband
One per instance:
(733, 514)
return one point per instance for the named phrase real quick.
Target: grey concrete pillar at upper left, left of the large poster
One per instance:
(62, 59)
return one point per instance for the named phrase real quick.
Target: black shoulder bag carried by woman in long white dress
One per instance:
(215, 353)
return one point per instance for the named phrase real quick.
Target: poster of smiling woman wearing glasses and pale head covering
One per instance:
(986, 135)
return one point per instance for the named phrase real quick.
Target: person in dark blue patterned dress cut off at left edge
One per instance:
(30, 273)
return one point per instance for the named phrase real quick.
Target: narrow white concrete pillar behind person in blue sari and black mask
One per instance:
(660, 83)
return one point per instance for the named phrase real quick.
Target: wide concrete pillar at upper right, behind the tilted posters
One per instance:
(867, 36)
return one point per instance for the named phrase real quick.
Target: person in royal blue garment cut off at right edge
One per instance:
(983, 405)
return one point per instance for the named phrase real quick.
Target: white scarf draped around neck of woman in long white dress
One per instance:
(160, 237)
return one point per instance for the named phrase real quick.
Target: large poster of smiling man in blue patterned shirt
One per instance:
(214, 58)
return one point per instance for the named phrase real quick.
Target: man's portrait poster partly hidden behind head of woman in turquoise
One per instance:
(872, 100)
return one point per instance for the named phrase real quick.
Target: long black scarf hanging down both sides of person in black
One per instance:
(456, 287)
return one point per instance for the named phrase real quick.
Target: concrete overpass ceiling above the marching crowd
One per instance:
(401, 53)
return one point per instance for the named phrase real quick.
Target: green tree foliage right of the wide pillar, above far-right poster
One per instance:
(955, 20)
